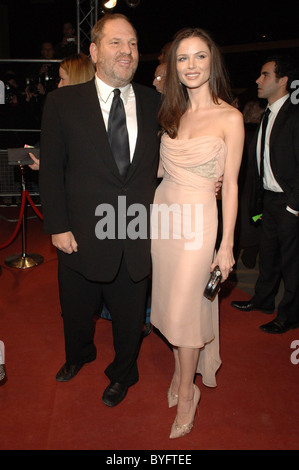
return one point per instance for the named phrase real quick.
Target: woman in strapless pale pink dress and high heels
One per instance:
(202, 139)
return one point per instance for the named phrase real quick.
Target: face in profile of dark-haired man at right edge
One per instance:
(268, 85)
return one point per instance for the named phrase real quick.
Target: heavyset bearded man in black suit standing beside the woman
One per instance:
(79, 181)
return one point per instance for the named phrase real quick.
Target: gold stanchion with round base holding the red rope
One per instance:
(24, 260)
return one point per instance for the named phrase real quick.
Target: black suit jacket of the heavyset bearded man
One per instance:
(78, 173)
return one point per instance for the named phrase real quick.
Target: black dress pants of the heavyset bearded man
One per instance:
(126, 300)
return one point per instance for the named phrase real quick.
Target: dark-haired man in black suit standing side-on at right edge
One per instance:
(279, 192)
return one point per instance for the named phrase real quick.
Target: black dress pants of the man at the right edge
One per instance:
(279, 258)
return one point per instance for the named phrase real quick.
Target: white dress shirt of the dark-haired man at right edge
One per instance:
(270, 183)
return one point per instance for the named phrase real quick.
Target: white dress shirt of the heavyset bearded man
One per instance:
(105, 94)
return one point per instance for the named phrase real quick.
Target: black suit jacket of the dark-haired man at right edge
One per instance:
(284, 158)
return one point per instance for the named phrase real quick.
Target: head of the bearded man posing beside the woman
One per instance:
(116, 55)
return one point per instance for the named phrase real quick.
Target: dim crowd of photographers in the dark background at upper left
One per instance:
(26, 87)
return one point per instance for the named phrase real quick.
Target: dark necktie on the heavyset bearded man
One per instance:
(118, 134)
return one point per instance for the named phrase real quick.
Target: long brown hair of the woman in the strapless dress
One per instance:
(175, 99)
